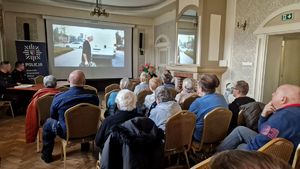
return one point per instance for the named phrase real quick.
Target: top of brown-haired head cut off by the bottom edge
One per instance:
(238, 159)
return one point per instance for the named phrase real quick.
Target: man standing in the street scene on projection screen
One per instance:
(86, 58)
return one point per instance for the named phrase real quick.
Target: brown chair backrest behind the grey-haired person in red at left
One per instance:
(43, 108)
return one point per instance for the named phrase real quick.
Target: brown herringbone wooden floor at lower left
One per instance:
(16, 154)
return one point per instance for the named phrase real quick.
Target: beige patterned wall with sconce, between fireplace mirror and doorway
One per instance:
(245, 42)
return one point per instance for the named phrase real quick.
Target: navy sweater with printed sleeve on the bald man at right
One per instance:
(282, 123)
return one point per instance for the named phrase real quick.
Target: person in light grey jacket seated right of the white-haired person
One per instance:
(165, 108)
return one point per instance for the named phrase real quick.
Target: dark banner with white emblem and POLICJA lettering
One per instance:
(34, 55)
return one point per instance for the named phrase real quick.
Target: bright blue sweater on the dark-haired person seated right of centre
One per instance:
(202, 106)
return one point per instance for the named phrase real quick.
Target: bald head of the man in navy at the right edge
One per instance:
(286, 94)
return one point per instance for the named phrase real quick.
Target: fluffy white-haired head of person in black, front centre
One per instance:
(126, 100)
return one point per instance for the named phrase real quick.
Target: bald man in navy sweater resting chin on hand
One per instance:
(280, 118)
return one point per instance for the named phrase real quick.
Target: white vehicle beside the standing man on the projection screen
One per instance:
(103, 52)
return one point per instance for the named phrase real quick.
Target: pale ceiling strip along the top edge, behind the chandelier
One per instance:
(145, 8)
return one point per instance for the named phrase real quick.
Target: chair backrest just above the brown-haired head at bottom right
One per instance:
(278, 147)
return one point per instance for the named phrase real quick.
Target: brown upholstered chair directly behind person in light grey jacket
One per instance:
(178, 133)
